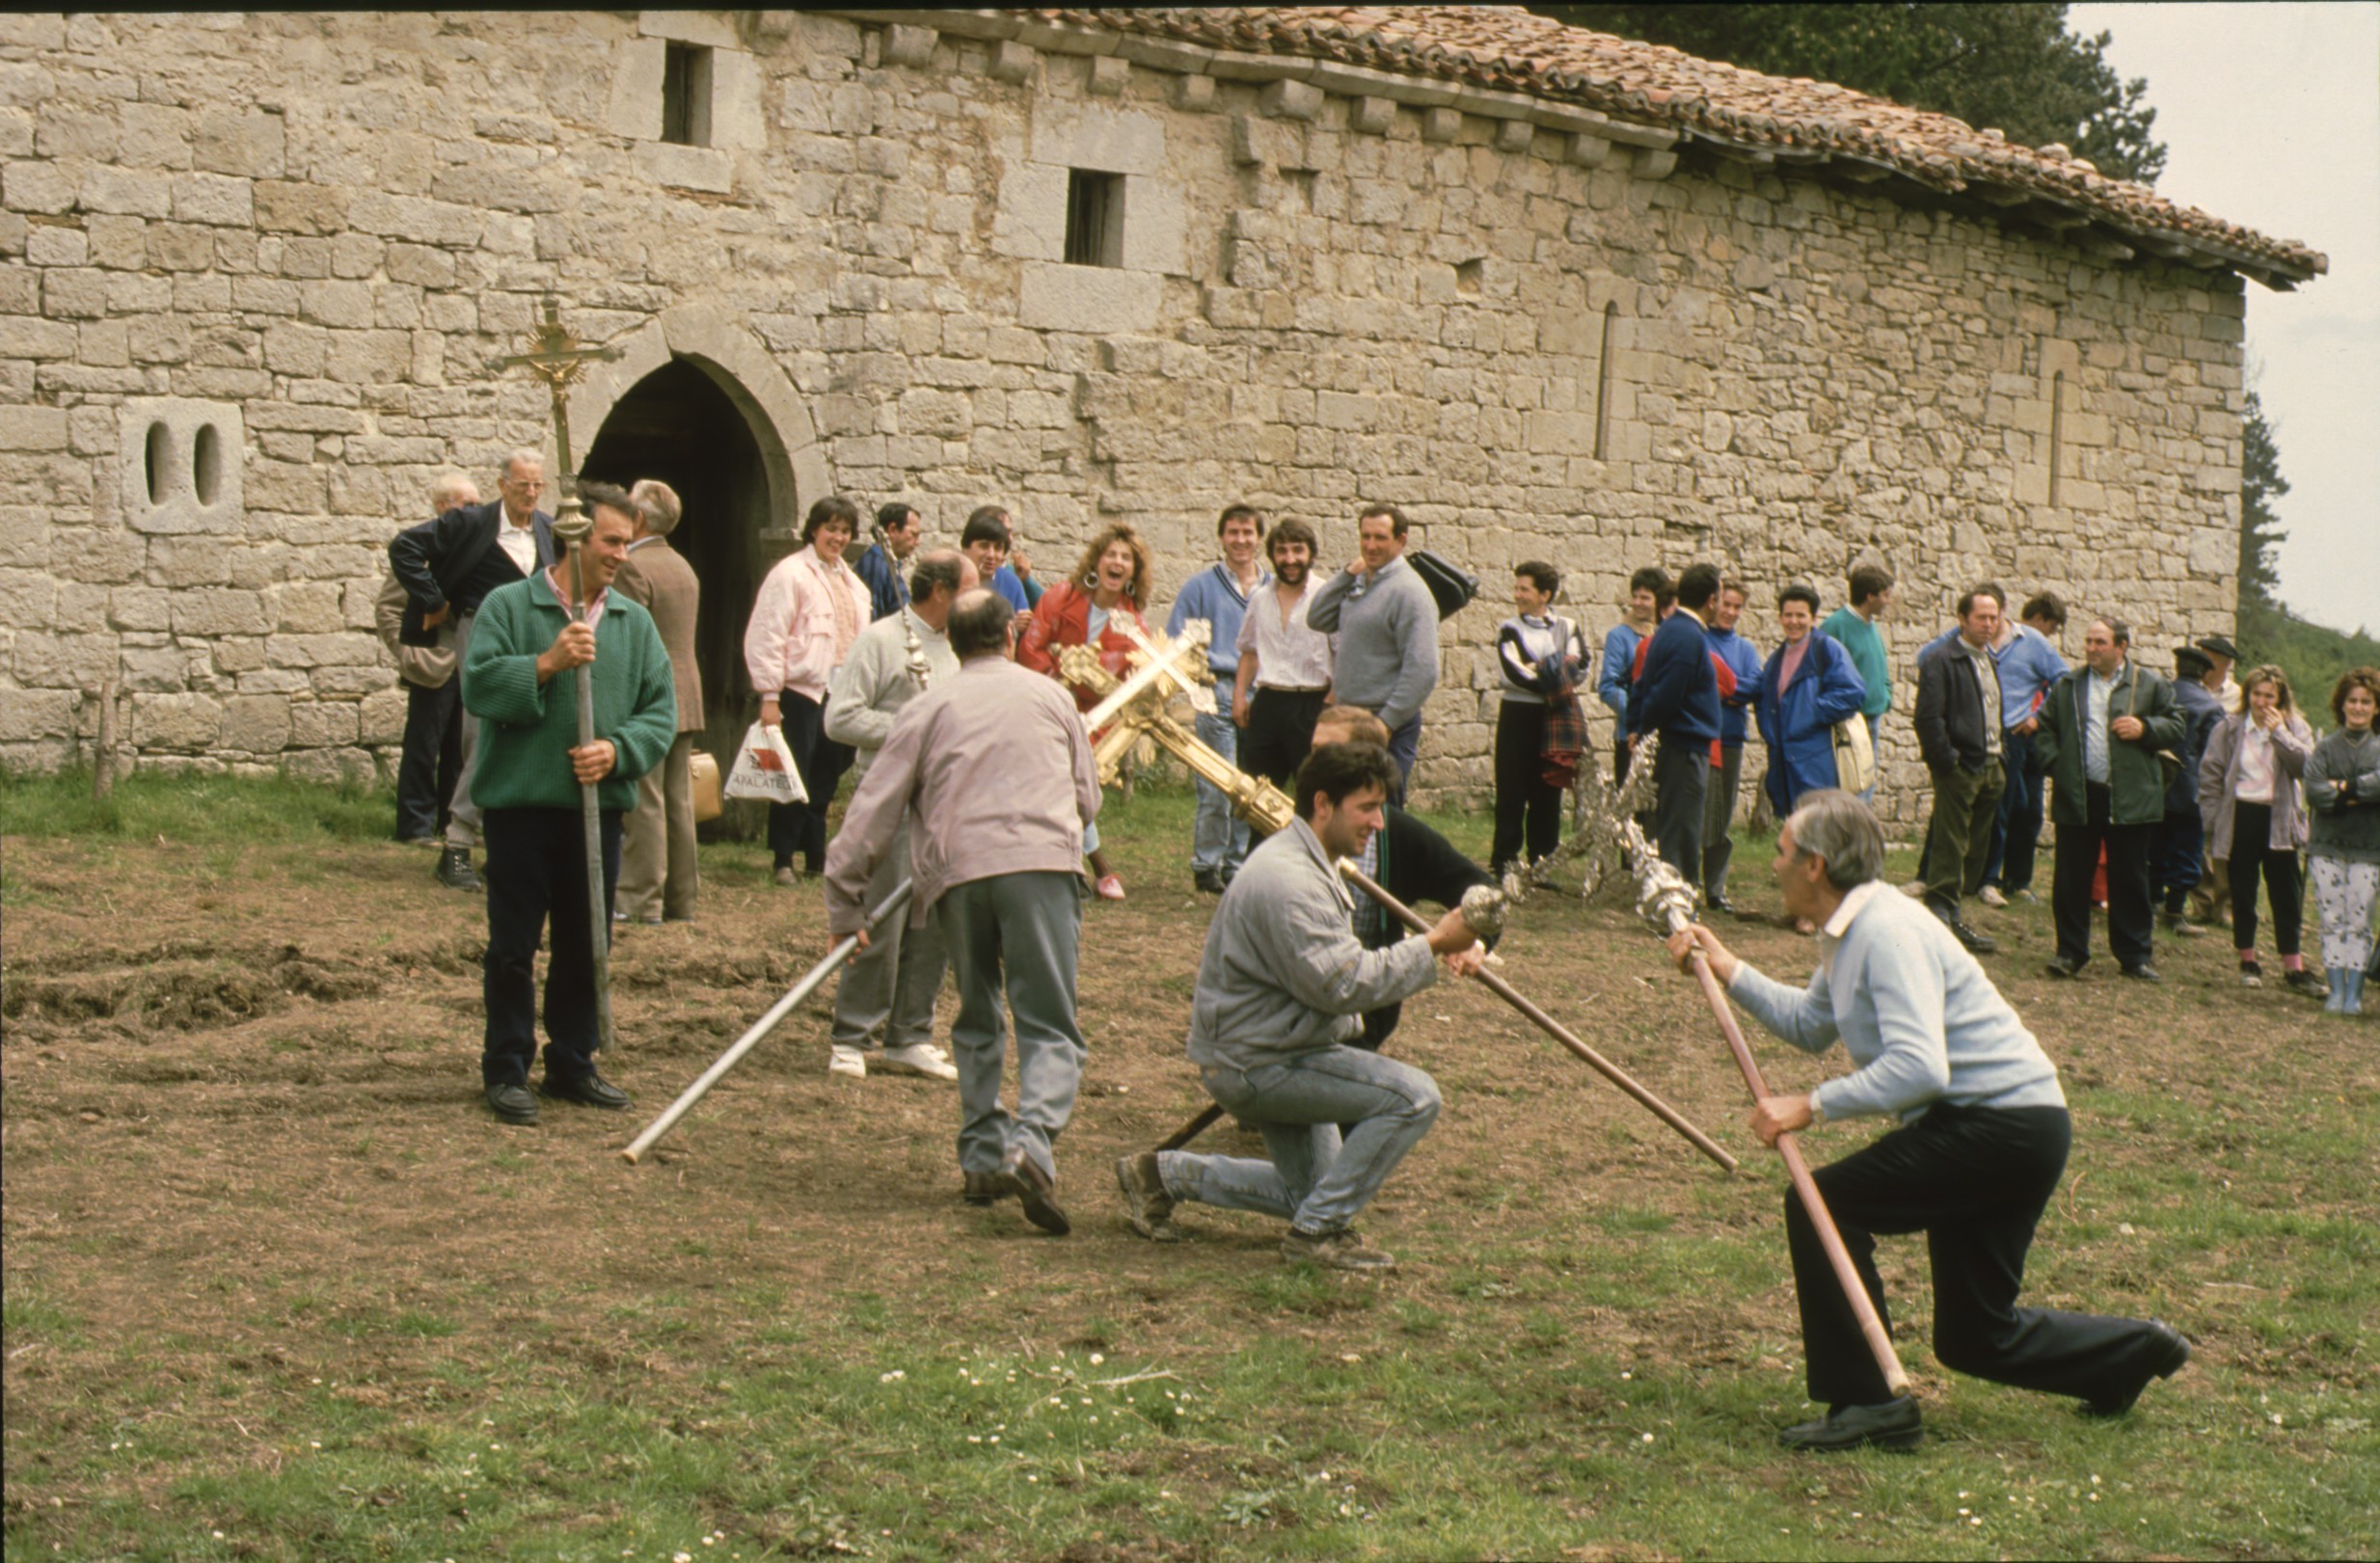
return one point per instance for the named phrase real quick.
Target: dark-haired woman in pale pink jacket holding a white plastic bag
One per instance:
(803, 627)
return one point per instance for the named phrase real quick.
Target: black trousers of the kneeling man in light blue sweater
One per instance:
(1974, 1181)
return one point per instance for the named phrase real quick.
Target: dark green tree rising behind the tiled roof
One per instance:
(2010, 68)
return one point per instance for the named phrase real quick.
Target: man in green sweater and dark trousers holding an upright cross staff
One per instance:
(522, 686)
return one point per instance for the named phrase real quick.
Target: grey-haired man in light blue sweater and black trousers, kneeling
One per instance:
(1979, 1150)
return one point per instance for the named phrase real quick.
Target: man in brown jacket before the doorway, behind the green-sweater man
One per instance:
(658, 872)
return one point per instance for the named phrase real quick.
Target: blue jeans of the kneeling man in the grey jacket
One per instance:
(1315, 1181)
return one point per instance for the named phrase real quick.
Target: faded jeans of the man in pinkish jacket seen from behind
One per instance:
(1015, 934)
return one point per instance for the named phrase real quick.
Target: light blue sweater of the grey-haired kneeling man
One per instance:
(1915, 1012)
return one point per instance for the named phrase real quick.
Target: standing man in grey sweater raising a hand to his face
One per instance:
(1389, 636)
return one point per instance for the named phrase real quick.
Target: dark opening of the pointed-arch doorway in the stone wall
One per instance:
(679, 427)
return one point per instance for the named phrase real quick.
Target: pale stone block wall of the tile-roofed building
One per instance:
(303, 237)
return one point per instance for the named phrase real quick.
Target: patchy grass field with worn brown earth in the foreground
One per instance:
(280, 1288)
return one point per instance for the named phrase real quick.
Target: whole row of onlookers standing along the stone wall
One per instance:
(2179, 801)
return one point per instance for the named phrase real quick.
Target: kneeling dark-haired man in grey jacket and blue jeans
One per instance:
(1279, 996)
